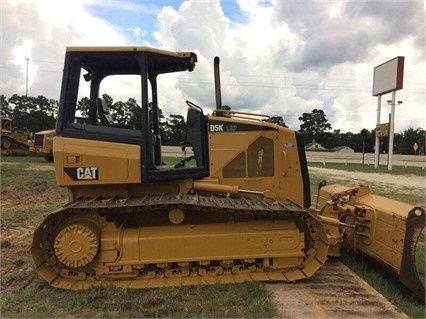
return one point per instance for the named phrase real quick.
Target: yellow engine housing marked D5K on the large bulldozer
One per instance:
(266, 161)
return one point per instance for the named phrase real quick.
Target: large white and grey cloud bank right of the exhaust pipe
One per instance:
(297, 56)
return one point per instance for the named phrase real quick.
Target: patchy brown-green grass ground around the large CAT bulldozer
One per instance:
(28, 192)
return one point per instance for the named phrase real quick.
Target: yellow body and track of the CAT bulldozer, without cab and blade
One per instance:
(170, 233)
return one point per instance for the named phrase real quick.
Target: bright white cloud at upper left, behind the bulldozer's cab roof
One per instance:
(49, 26)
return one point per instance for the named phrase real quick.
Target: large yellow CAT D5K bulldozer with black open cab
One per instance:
(237, 207)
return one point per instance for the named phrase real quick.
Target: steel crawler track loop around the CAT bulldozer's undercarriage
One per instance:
(52, 271)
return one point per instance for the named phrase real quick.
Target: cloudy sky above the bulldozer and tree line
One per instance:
(278, 57)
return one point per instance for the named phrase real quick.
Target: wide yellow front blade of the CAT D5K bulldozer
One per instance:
(388, 231)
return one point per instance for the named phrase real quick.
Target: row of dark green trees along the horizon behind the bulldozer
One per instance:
(38, 114)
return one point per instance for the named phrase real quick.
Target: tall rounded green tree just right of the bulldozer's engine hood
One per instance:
(314, 125)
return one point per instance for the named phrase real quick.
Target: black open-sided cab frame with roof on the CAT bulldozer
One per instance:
(95, 78)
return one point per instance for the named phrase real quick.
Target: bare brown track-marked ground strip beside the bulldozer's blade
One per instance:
(335, 292)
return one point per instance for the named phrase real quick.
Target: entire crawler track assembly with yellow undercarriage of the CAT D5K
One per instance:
(88, 242)
